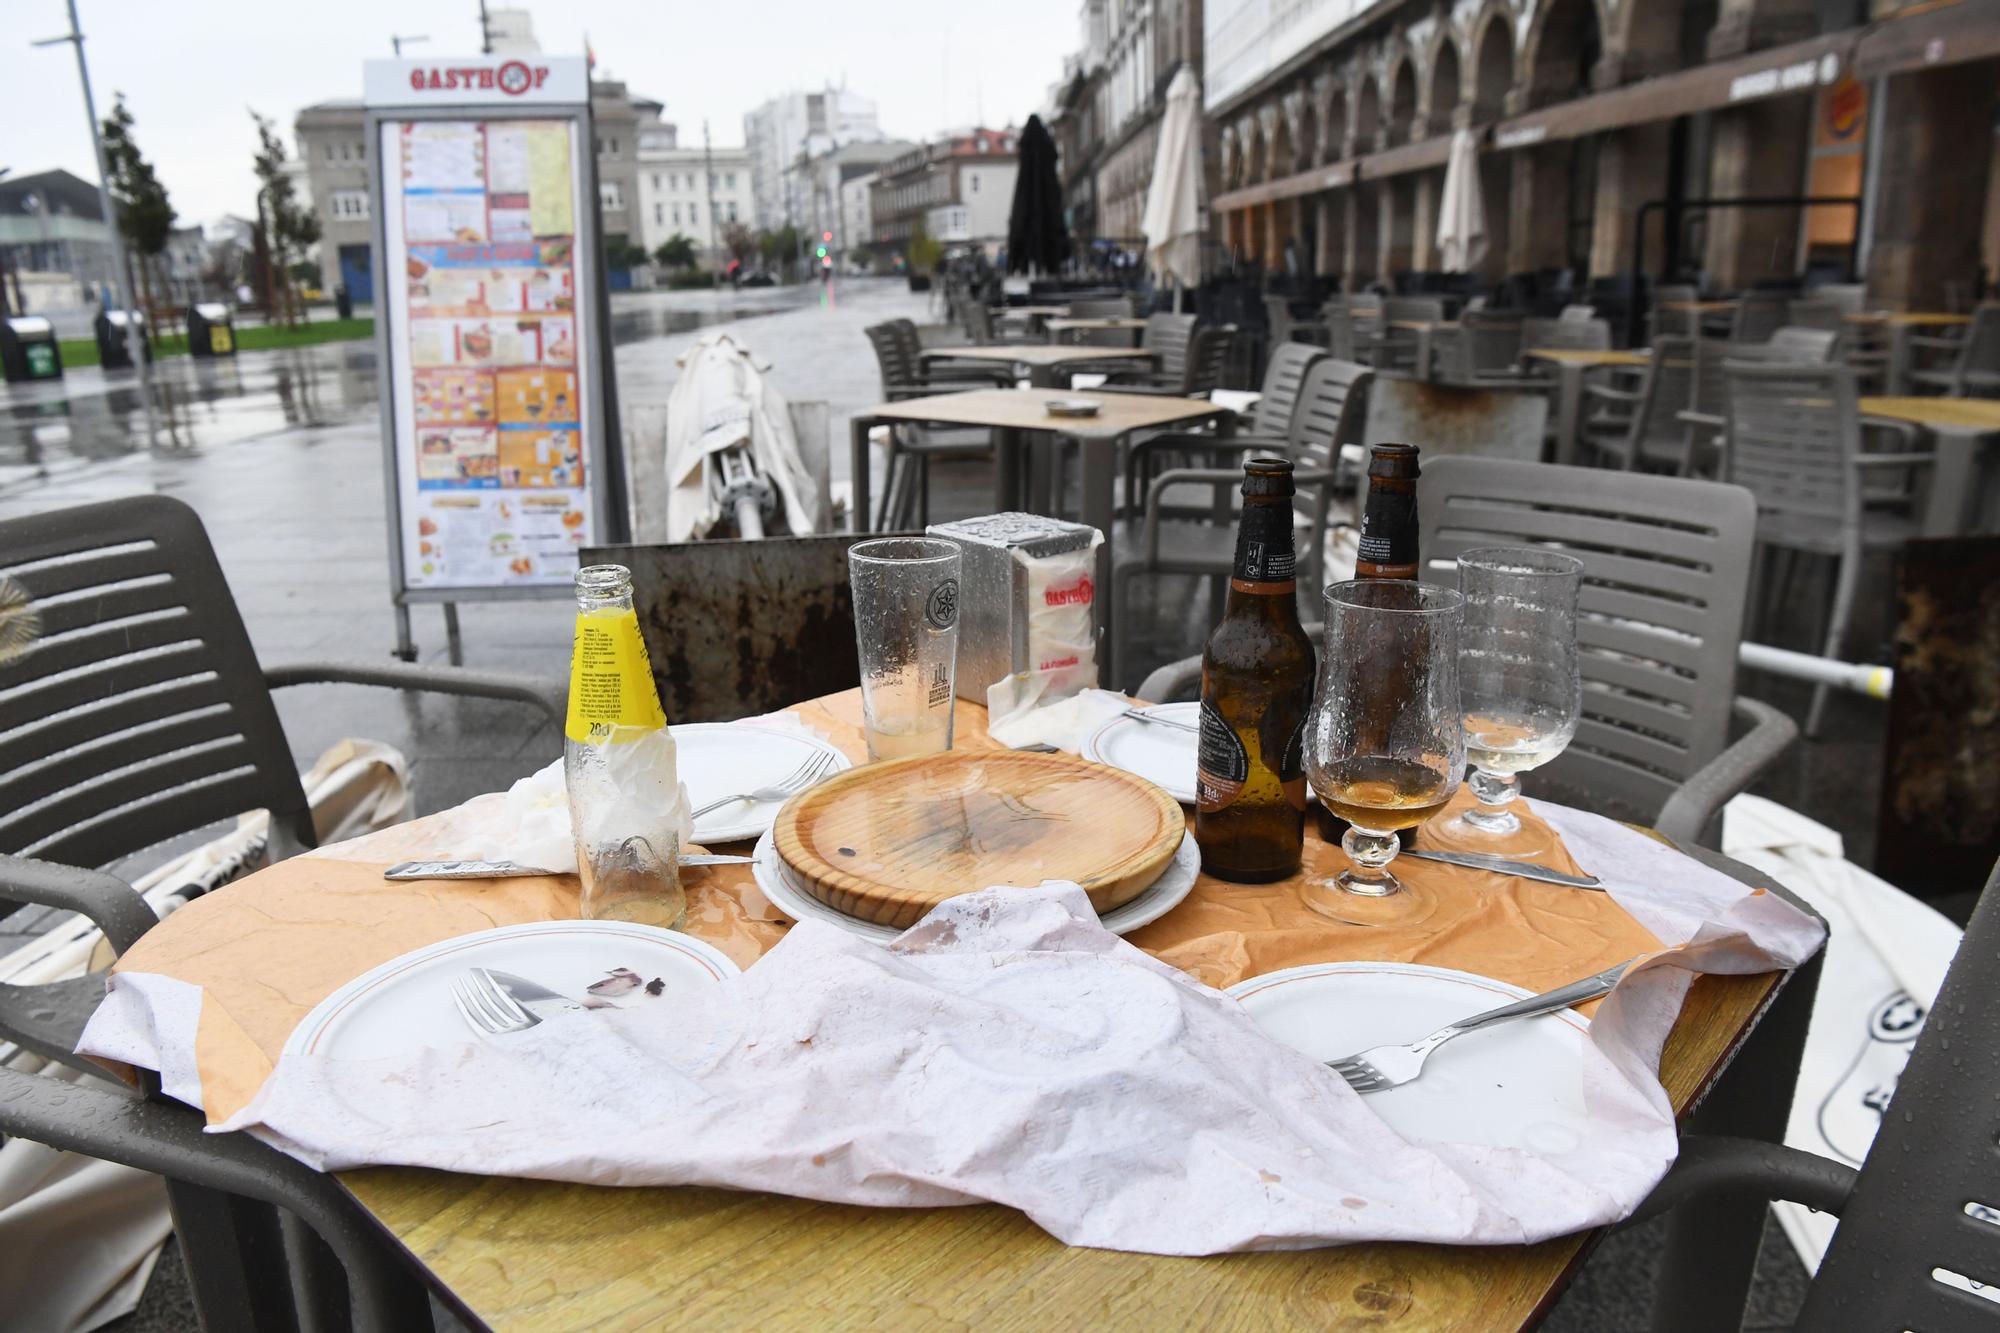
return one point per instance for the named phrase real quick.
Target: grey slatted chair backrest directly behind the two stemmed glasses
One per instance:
(1667, 565)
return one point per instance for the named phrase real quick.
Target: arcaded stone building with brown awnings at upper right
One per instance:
(1335, 123)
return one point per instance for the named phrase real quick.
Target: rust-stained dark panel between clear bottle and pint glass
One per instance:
(787, 607)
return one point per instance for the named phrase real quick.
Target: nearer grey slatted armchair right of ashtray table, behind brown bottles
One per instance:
(1203, 539)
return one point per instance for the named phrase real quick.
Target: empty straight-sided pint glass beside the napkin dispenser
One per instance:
(907, 631)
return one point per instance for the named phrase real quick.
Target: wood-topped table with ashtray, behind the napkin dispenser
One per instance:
(1013, 413)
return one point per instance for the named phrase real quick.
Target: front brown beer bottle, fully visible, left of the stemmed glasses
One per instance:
(1257, 690)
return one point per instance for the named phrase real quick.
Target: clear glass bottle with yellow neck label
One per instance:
(619, 764)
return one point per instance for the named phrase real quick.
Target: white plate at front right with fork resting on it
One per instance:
(1517, 1086)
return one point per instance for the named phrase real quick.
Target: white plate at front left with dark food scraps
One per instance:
(407, 1004)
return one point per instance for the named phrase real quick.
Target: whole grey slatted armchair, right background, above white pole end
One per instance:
(1795, 441)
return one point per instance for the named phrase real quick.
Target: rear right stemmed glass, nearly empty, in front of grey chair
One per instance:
(1517, 680)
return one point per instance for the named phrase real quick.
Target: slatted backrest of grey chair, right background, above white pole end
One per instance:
(1791, 439)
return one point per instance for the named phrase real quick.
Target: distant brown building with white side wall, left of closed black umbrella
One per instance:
(959, 189)
